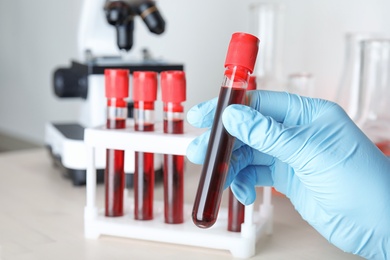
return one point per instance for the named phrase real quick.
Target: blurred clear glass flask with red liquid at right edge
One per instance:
(375, 86)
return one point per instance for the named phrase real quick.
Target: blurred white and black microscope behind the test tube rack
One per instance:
(102, 21)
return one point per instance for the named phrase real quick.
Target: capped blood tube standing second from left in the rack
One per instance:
(144, 96)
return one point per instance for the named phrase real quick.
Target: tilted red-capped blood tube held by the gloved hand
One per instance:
(239, 64)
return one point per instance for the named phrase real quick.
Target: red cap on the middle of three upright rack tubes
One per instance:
(144, 86)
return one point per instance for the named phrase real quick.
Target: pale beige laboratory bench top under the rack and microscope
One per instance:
(41, 217)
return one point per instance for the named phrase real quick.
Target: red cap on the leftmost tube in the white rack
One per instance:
(116, 83)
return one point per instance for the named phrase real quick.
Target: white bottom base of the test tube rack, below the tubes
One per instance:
(240, 244)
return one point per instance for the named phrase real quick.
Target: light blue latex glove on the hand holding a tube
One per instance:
(311, 151)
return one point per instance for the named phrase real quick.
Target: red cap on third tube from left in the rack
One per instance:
(173, 86)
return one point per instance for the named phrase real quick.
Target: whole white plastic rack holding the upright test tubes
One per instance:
(240, 244)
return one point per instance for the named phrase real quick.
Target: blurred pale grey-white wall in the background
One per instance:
(38, 36)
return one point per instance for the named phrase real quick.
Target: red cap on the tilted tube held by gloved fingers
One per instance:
(242, 51)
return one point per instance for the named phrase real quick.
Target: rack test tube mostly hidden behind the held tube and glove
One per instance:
(236, 210)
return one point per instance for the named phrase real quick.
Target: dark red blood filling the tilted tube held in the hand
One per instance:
(212, 180)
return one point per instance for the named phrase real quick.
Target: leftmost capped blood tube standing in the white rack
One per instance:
(117, 89)
